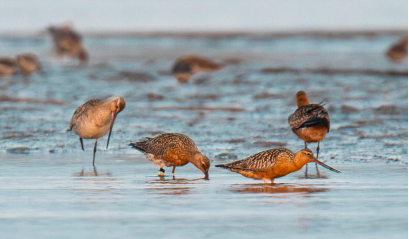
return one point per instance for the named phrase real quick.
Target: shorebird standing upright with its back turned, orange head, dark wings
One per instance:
(310, 122)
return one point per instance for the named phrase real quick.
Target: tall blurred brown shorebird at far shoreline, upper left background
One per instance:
(68, 43)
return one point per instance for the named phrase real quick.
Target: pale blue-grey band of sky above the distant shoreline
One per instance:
(210, 15)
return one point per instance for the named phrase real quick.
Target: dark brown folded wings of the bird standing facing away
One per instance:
(309, 115)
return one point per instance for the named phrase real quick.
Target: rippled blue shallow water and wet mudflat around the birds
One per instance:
(49, 188)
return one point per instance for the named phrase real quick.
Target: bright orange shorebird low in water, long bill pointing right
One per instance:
(273, 163)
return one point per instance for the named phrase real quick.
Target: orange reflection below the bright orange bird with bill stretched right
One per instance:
(276, 188)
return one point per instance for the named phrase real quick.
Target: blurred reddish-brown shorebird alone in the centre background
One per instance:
(186, 66)
